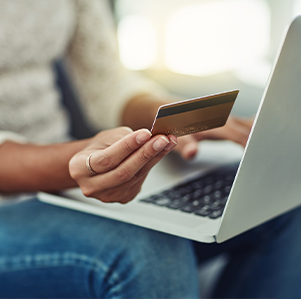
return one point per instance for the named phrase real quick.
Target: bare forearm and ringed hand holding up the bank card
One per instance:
(121, 159)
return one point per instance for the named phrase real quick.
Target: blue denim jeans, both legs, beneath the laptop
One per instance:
(52, 252)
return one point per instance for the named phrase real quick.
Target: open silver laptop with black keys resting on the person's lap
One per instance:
(227, 190)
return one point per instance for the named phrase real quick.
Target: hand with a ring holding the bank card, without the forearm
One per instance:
(122, 159)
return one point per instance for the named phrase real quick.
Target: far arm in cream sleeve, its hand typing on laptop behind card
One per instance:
(113, 96)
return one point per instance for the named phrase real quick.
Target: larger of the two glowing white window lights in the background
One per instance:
(212, 37)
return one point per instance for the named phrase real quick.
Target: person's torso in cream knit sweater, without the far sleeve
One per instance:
(33, 34)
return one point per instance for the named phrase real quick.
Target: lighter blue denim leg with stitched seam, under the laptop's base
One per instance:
(49, 251)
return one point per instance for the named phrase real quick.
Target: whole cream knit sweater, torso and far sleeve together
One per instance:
(34, 33)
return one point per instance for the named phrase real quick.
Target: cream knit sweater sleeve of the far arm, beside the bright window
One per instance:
(102, 83)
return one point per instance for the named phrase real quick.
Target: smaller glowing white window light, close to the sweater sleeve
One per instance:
(137, 42)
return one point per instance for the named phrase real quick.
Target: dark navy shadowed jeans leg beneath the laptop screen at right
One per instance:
(264, 262)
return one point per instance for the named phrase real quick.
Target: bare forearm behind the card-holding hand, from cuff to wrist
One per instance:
(29, 167)
